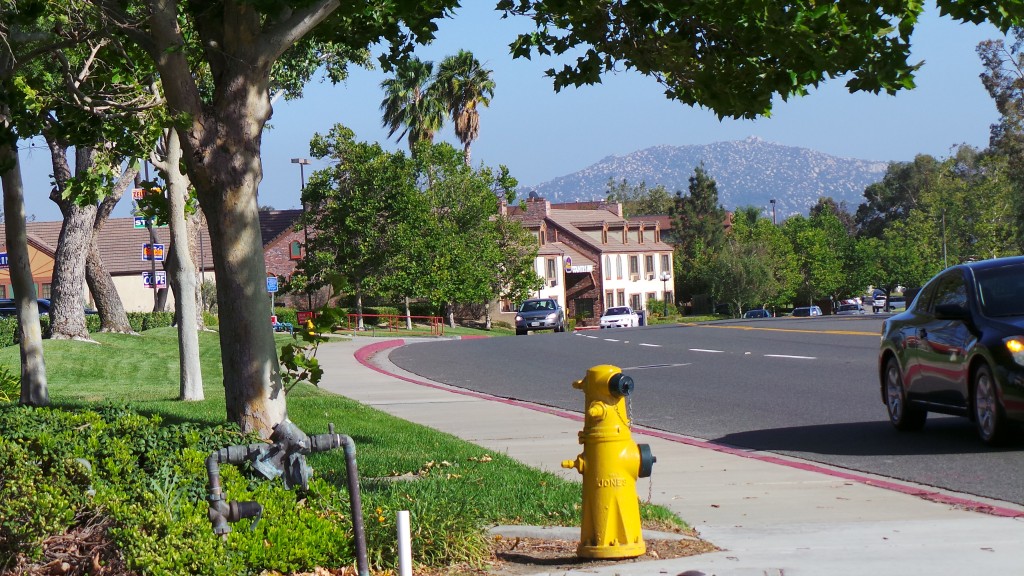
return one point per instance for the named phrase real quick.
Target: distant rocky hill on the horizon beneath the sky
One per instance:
(748, 173)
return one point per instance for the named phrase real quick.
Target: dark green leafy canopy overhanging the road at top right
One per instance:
(736, 58)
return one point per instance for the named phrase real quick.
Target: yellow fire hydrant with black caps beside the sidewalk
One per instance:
(611, 465)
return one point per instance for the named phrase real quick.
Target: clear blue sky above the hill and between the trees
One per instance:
(540, 135)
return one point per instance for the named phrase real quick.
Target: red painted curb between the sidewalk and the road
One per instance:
(366, 353)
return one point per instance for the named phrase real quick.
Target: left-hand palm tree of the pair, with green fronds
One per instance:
(410, 106)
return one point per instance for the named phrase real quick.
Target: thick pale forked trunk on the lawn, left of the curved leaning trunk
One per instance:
(67, 312)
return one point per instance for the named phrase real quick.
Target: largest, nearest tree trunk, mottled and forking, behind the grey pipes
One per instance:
(222, 146)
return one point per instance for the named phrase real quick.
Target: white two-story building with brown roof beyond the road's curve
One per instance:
(591, 258)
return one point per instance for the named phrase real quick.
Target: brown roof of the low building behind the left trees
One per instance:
(121, 243)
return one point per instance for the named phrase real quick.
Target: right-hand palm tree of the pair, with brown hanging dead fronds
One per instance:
(463, 85)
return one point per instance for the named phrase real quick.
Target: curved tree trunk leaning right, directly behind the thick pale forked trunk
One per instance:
(113, 317)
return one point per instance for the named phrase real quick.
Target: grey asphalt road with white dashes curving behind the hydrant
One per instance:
(806, 388)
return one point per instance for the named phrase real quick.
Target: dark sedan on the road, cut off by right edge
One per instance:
(959, 349)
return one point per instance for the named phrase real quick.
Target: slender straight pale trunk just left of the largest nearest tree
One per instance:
(182, 271)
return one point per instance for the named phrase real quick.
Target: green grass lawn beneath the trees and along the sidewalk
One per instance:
(458, 488)
